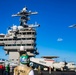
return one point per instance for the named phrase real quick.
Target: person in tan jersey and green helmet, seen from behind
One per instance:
(23, 69)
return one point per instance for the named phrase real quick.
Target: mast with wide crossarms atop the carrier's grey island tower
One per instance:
(24, 16)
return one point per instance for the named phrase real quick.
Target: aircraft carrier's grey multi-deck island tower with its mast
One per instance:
(20, 35)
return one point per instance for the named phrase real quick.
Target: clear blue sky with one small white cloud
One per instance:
(54, 37)
